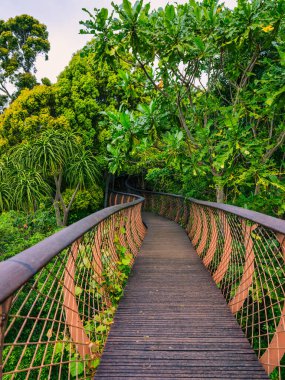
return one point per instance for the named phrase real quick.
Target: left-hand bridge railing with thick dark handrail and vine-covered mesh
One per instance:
(58, 298)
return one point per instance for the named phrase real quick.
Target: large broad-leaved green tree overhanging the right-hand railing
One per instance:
(211, 65)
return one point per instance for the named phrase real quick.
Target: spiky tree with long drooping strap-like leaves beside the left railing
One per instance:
(43, 168)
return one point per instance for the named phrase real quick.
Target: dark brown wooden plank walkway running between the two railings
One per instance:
(173, 323)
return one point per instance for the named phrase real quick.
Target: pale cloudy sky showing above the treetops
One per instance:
(62, 20)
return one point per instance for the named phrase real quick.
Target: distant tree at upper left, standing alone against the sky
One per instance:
(22, 39)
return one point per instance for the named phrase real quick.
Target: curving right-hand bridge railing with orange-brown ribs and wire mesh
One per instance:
(245, 253)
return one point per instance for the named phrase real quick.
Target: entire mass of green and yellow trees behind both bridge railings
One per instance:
(189, 98)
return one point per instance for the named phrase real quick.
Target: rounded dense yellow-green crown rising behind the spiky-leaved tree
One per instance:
(86, 89)
